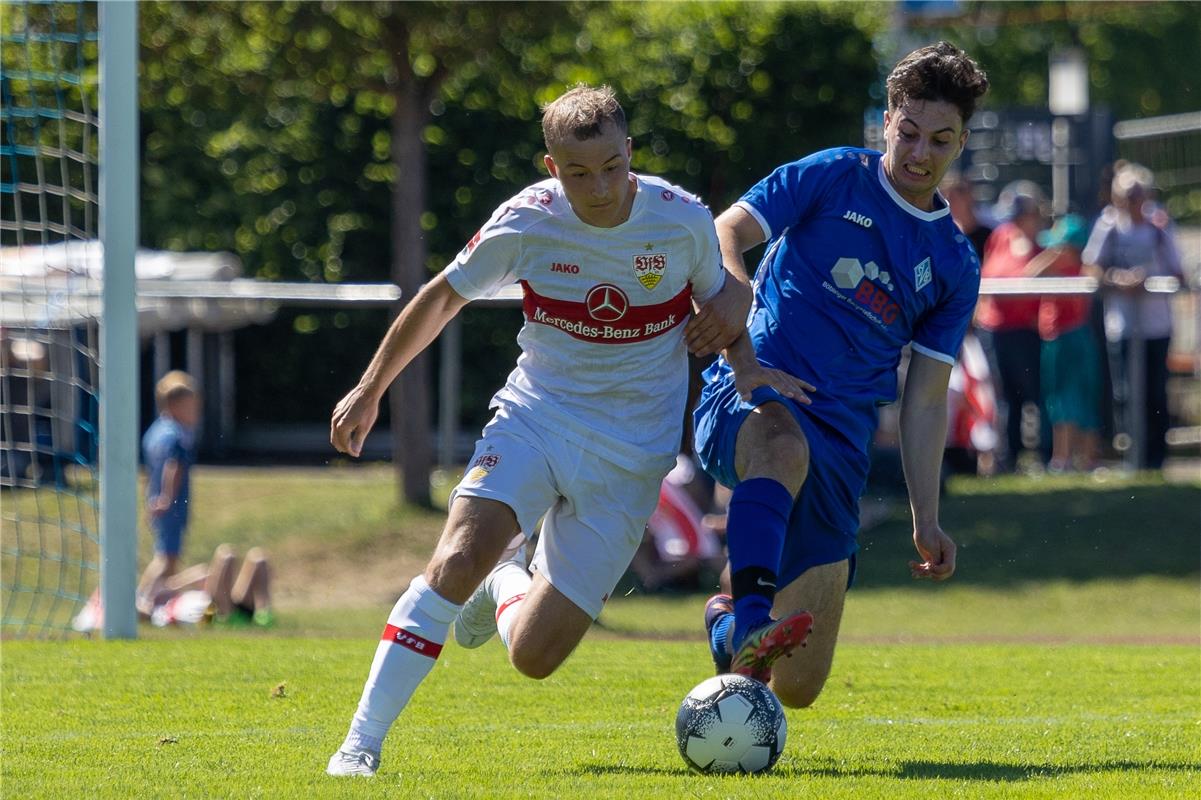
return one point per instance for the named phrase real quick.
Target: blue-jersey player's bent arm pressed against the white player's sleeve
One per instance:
(719, 324)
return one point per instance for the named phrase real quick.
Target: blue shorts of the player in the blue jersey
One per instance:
(824, 522)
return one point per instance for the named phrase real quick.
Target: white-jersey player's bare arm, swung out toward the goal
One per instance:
(417, 326)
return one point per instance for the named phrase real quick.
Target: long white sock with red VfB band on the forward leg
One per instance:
(417, 630)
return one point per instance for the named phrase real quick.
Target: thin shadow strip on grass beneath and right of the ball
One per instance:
(916, 771)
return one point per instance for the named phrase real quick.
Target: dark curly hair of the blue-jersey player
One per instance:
(942, 73)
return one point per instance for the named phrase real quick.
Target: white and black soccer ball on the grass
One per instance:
(731, 724)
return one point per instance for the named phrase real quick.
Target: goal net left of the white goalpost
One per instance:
(51, 291)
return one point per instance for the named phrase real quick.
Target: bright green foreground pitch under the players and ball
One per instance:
(228, 717)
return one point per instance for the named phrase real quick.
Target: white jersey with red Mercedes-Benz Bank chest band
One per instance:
(604, 359)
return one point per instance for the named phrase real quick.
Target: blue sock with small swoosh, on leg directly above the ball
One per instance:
(756, 528)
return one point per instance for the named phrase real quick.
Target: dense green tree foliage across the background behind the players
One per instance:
(268, 128)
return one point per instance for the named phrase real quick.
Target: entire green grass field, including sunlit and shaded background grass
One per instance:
(1063, 661)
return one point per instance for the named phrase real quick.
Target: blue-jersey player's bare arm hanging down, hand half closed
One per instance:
(923, 441)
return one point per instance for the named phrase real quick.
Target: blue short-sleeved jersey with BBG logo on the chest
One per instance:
(852, 274)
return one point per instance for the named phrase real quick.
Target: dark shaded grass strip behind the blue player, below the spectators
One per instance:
(1074, 534)
